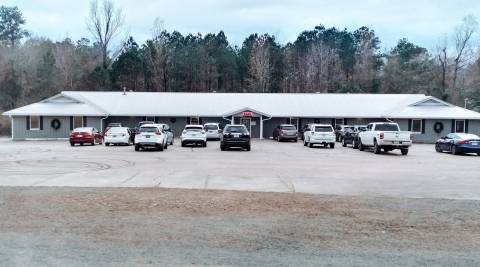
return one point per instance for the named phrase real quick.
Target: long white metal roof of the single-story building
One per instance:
(170, 104)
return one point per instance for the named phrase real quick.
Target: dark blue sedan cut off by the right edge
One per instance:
(457, 143)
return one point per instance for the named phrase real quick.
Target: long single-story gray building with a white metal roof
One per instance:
(427, 117)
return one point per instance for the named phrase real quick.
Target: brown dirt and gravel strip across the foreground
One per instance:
(177, 227)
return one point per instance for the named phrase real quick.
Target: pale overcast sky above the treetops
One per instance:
(424, 22)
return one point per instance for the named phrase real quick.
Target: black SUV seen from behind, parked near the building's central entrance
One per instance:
(235, 135)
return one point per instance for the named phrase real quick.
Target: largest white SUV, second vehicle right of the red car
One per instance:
(151, 136)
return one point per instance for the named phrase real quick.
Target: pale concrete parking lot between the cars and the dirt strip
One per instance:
(270, 166)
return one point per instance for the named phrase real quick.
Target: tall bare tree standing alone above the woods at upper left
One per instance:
(105, 23)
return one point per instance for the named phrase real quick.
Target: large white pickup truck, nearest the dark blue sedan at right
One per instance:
(386, 136)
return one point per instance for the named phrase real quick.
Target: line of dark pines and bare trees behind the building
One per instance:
(326, 60)
